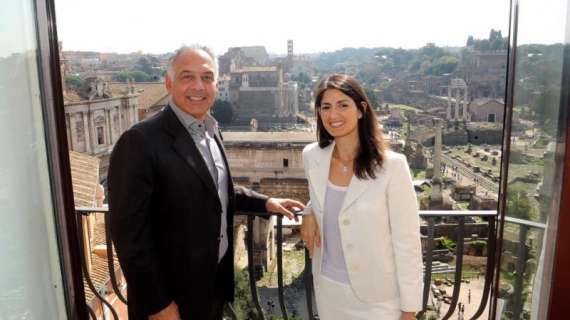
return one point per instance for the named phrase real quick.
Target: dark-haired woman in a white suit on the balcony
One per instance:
(362, 198)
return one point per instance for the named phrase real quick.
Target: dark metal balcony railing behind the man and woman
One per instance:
(430, 216)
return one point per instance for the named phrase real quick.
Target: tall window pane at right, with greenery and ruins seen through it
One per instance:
(534, 182)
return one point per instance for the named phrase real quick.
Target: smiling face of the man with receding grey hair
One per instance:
(193, 84)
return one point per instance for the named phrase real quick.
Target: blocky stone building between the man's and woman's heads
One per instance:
(259, 92)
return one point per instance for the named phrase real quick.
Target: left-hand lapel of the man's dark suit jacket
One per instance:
(185, 147)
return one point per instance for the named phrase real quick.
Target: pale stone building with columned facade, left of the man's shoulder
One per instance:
(95, 119)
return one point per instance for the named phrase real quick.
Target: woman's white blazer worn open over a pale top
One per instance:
(379, 229)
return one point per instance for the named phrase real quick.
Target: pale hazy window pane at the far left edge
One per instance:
(31, 279)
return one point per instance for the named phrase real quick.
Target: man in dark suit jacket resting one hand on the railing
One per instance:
(172, 201)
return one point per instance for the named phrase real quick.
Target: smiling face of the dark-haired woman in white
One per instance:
(339, 114)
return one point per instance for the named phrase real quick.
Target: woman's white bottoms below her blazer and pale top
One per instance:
(336, 301)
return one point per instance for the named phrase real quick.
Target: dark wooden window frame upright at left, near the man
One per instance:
(58, 158)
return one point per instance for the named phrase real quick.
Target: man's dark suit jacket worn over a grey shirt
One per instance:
(165, 219)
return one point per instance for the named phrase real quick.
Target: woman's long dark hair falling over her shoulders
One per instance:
(370, 154)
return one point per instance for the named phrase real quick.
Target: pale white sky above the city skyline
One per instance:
(314, 25)
